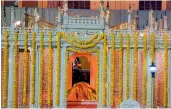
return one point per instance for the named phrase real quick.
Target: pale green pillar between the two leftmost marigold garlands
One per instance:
(10, 75)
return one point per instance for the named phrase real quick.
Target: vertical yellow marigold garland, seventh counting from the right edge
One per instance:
(112, 71)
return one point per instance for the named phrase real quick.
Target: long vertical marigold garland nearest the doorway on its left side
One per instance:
(58, 68)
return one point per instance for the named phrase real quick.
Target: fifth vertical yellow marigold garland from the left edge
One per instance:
(41, 67)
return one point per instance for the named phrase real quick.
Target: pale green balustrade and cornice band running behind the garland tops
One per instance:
(159, 39)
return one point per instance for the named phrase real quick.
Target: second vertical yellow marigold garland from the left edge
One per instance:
(15, 74)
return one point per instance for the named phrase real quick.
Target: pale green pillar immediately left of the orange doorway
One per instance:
(63, 79)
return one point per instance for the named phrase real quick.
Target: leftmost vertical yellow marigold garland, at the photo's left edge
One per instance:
(5, 77)
